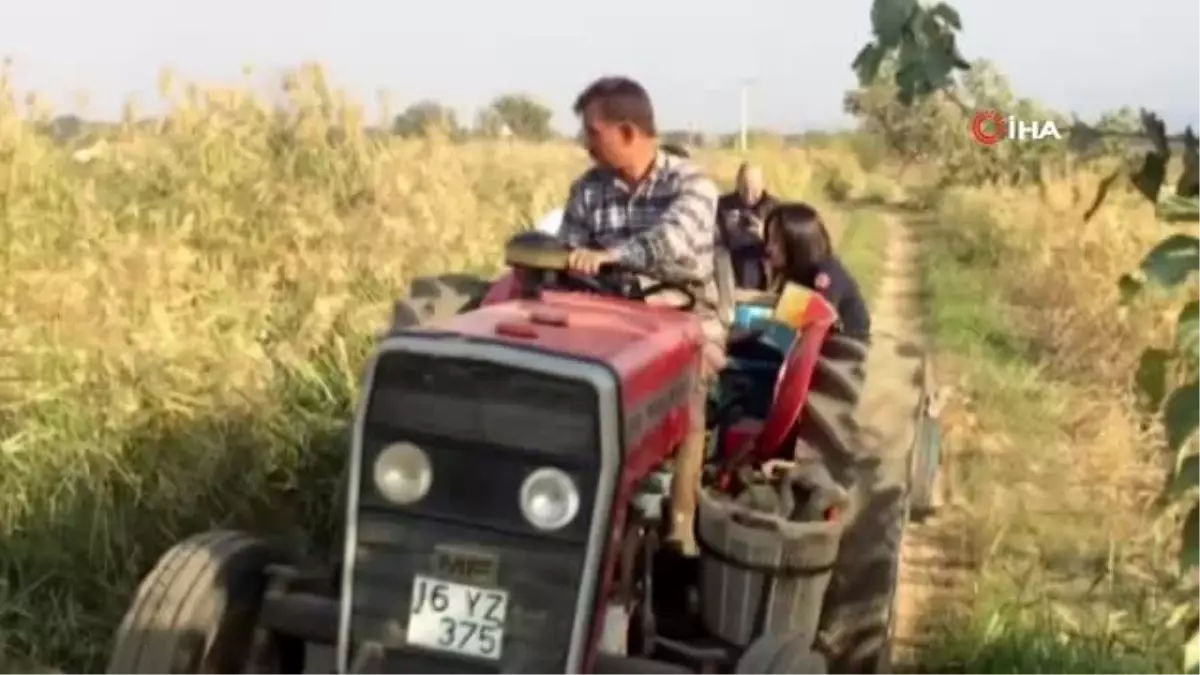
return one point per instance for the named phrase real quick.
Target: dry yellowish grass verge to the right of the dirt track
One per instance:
(1061, 469)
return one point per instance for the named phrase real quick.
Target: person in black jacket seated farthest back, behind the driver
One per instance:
(740, 219)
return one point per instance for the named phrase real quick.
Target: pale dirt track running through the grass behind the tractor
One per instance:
(899, 373)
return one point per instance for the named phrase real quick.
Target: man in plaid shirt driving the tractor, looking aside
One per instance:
(655, 214)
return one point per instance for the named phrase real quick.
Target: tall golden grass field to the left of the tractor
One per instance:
(185, 306)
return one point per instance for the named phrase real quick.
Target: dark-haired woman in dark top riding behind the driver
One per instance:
(800, 250)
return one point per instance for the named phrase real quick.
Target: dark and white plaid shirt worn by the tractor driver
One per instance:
(664, 228)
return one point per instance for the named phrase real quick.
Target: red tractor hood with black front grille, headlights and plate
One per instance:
(493, 459)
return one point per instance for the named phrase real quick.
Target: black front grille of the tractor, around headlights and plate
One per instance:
(485, 428)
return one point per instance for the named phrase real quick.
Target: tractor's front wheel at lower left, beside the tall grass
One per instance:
(197, 611)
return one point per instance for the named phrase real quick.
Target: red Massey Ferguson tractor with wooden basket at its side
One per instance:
(505, 497)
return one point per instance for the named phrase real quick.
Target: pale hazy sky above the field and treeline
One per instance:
(693, 56)
